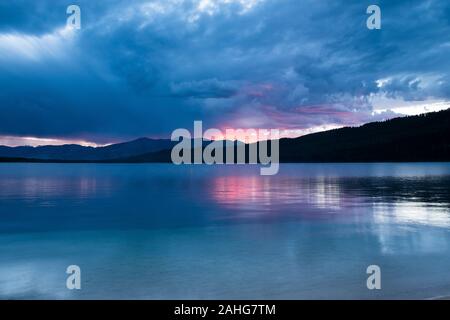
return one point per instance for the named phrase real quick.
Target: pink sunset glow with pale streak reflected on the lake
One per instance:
(277, 194)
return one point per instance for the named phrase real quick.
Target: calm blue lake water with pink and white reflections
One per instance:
(156, 231)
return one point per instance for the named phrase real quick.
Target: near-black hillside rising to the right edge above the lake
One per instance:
(424, 137)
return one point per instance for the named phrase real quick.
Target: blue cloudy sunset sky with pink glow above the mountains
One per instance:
(145, 68)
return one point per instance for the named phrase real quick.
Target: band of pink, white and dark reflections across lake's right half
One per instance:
(407, 200)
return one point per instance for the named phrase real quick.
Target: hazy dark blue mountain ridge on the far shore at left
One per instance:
(81, 153)
